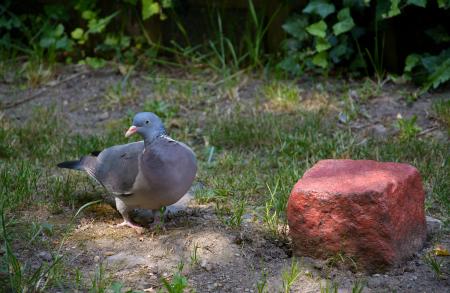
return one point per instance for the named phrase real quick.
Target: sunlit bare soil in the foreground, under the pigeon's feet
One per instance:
(227, 260)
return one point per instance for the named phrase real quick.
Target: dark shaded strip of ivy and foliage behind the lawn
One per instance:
(357, 37)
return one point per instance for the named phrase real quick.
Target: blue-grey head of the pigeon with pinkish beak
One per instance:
(148, 125)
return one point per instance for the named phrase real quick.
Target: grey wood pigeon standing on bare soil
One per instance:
(148, 174)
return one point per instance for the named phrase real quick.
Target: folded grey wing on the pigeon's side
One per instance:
(118, 166)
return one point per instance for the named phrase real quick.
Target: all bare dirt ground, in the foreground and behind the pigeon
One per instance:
(229, 260)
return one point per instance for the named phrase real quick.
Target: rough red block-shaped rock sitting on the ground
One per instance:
(370, 211)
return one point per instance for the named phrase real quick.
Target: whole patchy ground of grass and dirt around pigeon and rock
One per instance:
(254, 137)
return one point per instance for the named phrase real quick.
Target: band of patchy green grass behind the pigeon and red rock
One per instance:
(250, 157)
